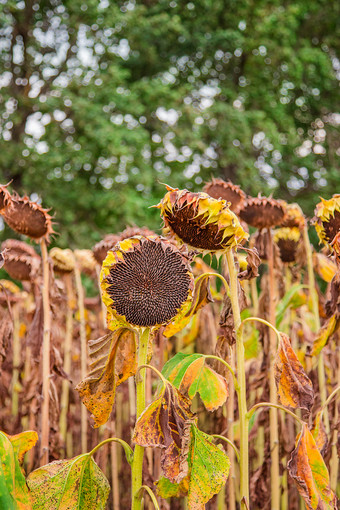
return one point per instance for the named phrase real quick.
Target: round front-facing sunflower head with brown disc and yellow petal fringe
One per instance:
(146, 282)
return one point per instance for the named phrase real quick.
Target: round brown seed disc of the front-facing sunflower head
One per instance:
(150, 285)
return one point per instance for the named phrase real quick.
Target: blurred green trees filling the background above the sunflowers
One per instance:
(102, 100)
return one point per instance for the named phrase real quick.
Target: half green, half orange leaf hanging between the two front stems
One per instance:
(190, 374)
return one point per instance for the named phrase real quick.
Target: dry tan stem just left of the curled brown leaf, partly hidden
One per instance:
(83, 352)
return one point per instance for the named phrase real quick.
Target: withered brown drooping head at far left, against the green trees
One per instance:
(28, 218)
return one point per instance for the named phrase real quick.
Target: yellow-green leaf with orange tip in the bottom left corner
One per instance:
(14, 494)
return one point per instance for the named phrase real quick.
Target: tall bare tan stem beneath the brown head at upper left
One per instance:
(45, 424)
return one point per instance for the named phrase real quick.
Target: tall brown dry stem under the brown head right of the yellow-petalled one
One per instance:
(273, 413)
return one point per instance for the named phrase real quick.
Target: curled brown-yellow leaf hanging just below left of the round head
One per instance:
(113, 360)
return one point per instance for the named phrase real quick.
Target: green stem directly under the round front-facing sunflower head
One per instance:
(137, 464)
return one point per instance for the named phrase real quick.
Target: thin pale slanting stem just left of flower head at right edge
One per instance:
(315, 305)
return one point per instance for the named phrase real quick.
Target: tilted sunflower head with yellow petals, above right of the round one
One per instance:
(200, 221)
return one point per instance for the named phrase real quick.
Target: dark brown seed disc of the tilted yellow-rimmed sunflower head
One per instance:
(192, 230)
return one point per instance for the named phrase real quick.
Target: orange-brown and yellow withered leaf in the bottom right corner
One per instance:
(306, 466)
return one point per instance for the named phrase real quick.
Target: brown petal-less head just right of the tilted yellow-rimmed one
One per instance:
(263, 212)
